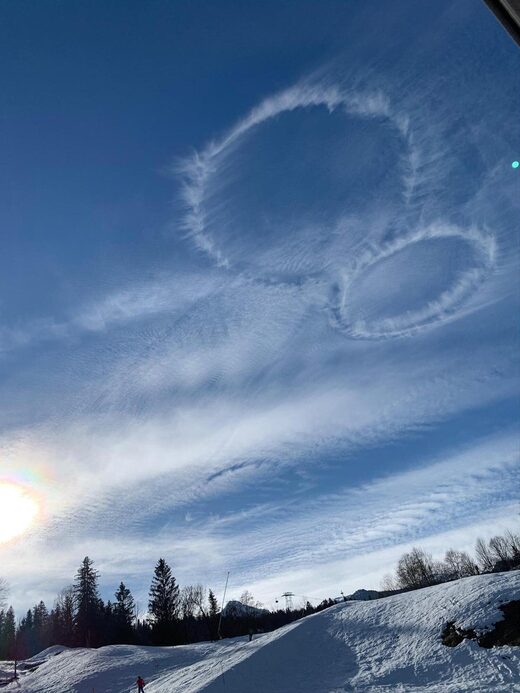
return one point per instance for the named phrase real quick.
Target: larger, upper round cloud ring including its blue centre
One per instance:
(274, 194)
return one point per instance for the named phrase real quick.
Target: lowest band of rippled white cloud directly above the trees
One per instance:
(352, 536)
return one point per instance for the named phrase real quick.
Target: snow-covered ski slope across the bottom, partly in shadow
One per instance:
(391, 644)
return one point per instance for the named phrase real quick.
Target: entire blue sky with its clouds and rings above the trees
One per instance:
(258, 288)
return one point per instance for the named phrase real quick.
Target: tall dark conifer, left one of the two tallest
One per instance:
(88, 604)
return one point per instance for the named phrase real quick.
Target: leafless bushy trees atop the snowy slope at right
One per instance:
(417, 568)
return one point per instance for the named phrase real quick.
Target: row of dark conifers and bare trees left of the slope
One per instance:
(80, 618)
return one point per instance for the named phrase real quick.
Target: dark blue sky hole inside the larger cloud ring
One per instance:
(283, 190)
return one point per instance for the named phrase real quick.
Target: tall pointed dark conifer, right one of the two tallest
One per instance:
(163, 602)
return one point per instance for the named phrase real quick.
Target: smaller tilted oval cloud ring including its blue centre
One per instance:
(412, 282)
